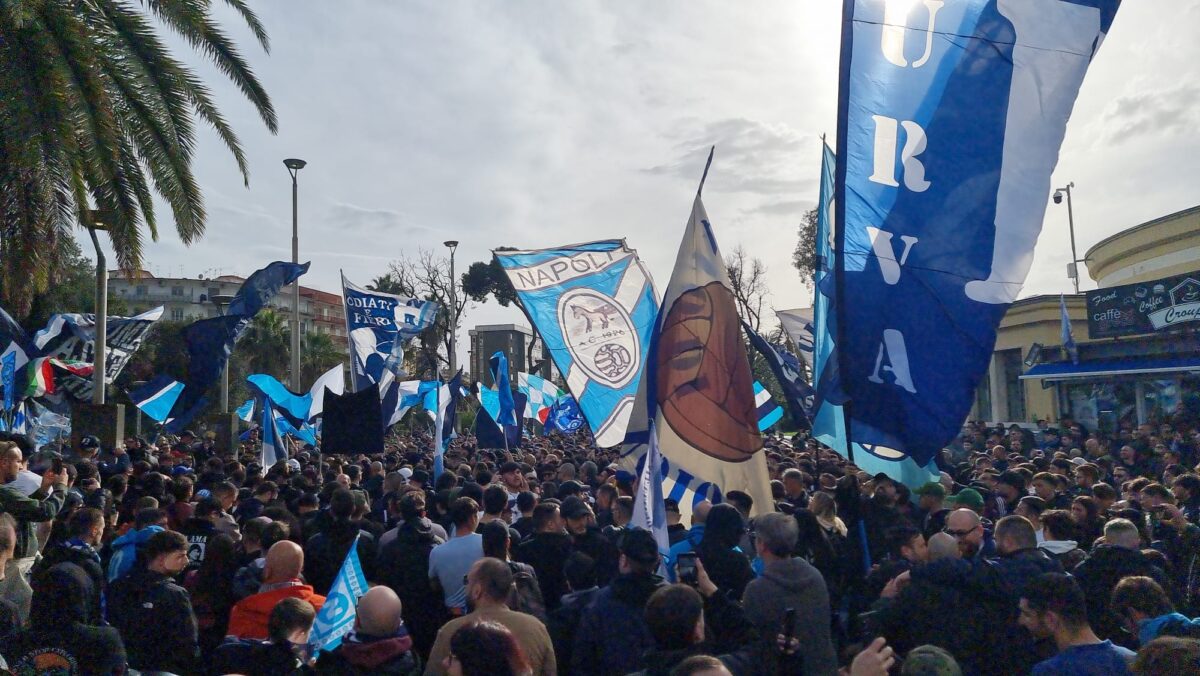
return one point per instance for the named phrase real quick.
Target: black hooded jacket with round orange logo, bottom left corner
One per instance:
(62, 633)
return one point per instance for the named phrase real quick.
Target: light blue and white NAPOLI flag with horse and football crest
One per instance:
(595, 307)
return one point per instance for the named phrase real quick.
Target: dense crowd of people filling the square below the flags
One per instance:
(1048, 551)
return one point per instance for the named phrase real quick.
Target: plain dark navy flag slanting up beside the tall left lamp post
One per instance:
(212, 342)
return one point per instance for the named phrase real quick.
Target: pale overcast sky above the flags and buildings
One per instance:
(536, 124)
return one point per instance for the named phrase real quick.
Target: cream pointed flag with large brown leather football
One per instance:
(699, 388)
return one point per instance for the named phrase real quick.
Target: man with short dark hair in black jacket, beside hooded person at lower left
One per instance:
(154, 614)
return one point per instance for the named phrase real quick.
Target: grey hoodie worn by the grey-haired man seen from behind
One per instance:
(794, 583)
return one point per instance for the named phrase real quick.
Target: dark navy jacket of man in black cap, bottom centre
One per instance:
(599, 650)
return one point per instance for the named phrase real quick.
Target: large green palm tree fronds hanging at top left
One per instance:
(97, 113)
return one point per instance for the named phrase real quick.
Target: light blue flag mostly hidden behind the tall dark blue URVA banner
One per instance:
(829, 420)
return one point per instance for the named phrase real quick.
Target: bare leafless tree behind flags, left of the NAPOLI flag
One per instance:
(427, 277)
